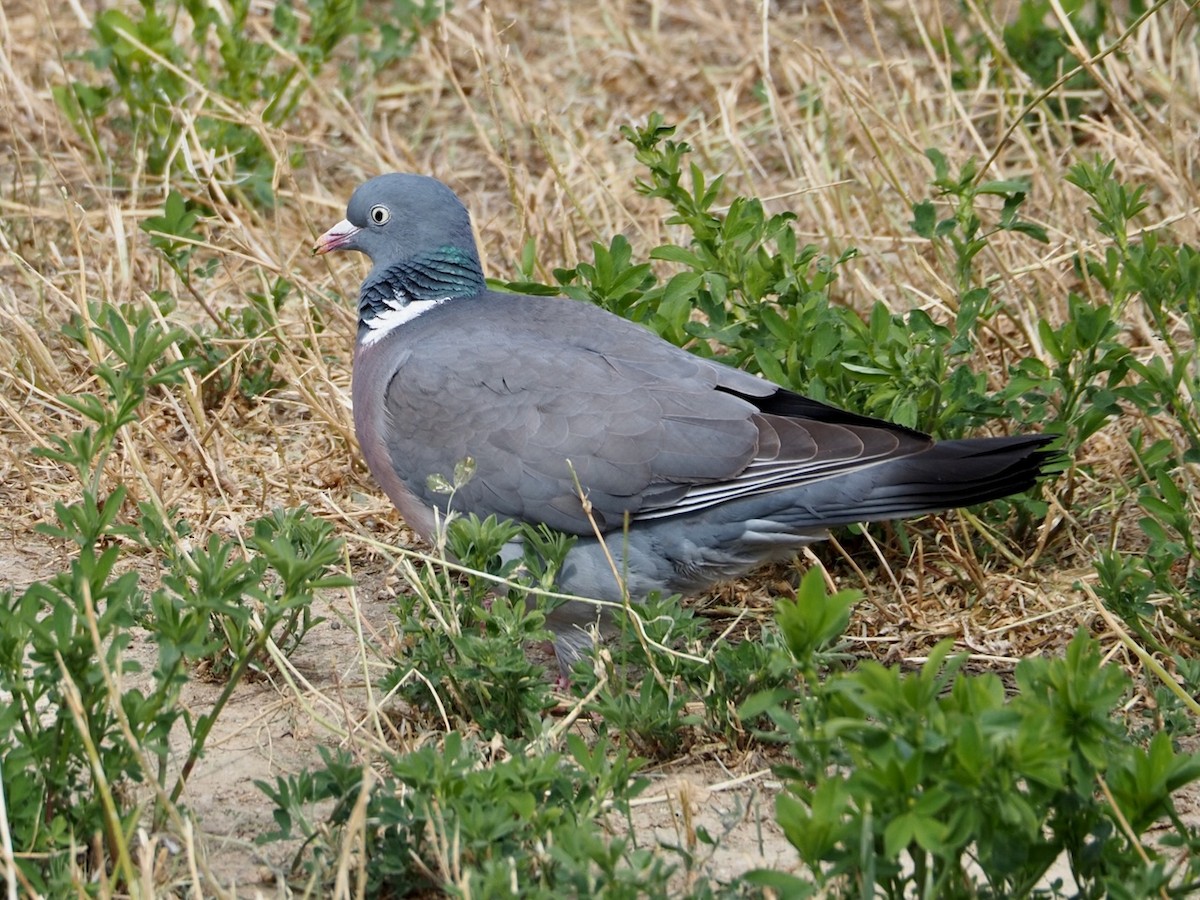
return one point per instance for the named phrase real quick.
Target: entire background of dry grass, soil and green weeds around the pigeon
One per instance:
(230, 671)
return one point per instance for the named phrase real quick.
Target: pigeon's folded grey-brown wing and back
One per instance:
(649, 430)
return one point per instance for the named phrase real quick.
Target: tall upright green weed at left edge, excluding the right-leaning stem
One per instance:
(68, 746)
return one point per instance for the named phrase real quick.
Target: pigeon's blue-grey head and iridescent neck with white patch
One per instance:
(418, 236)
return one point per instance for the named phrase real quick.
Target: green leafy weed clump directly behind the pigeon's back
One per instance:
(766, 303)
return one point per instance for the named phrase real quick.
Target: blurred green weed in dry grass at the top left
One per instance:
(193, 69)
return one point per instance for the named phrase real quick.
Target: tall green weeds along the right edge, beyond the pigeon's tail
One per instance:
(1099, 376)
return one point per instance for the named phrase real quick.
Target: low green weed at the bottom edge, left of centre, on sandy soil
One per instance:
(469, 820)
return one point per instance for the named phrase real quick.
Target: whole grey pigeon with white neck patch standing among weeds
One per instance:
(694, 472)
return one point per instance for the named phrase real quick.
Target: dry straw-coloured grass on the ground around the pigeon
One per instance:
(823, 109)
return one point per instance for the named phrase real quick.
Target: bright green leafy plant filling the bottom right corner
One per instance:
(940, 770)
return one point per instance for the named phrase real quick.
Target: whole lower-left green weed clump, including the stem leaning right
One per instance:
(85, 727)
